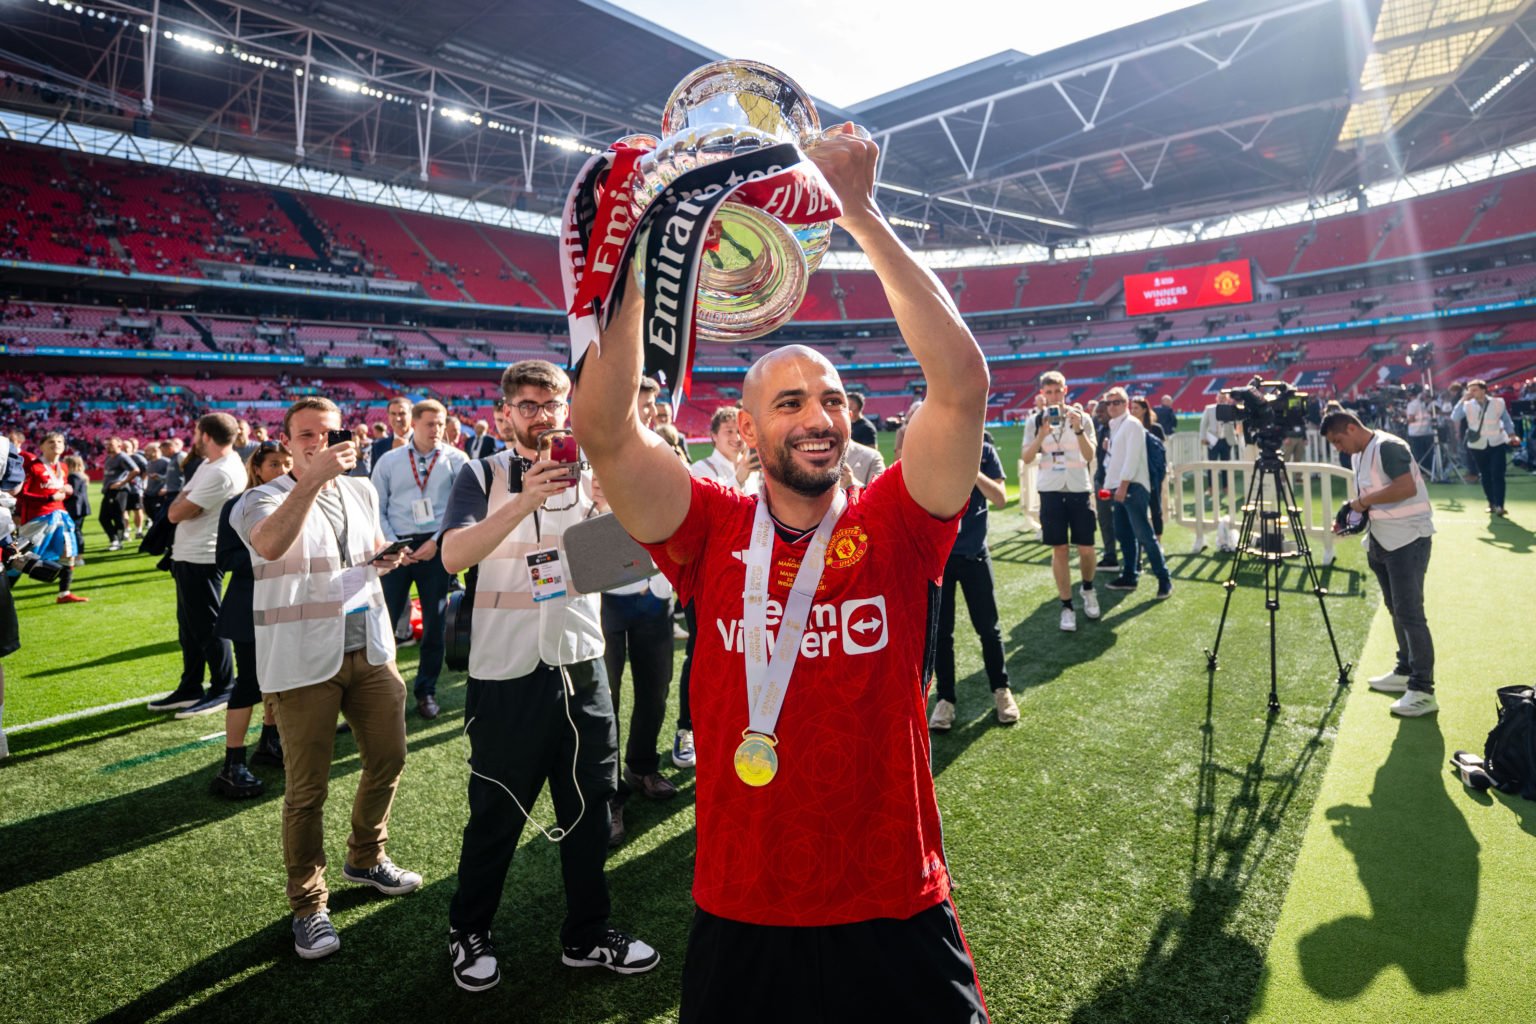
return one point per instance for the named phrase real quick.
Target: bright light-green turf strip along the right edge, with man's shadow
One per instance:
(1405, 902)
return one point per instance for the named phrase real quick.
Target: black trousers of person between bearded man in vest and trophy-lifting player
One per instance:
(638, 627)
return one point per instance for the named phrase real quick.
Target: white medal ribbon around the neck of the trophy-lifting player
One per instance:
(769, 678)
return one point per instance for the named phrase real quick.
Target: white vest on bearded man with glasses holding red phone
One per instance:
(511, 633)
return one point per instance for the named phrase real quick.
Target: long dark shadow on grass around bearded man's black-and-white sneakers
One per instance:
(394, 963)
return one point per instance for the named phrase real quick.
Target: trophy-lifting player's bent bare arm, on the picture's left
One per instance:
(646, 484)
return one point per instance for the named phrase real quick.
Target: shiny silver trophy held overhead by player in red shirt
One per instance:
(755, 282)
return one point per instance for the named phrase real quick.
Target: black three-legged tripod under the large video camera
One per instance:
(1263, 541)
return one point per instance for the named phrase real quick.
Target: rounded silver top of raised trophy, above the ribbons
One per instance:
(743, 93)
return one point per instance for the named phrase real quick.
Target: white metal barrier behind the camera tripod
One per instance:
(1202, 495)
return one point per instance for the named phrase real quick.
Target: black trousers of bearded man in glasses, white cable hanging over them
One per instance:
(520, 739)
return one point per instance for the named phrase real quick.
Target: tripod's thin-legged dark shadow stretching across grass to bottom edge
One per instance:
(1197, 966)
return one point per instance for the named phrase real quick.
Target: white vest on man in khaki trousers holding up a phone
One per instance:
(299, 601)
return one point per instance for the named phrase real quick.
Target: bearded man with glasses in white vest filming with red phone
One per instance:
(537, 705)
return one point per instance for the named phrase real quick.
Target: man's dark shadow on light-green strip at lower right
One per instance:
(1418, 864)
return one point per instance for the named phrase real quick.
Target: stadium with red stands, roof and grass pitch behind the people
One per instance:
(236, 205)
